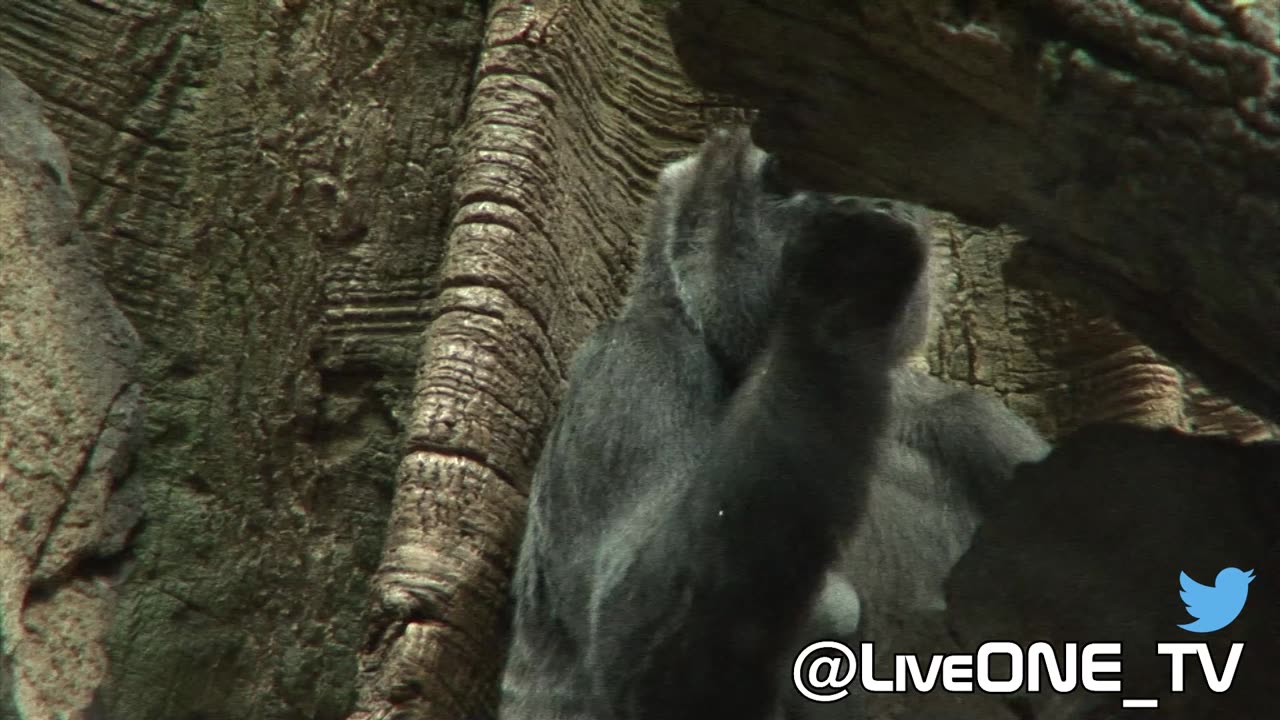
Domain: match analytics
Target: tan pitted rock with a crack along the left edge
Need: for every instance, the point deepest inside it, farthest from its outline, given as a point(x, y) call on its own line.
point(70, 420)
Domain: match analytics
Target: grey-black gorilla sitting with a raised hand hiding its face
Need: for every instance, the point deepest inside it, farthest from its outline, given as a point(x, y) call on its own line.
point(714, 450)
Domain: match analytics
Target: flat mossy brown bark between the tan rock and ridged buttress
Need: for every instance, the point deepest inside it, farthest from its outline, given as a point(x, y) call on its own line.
point(267, 186)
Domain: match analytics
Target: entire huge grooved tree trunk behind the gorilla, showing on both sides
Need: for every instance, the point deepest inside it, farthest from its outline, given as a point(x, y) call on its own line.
point(282, 198)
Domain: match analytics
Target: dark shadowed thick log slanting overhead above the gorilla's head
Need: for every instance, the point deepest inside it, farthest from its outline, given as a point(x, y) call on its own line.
point(1135, 142)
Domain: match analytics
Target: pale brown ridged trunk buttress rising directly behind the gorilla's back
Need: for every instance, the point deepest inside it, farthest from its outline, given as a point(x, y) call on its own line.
point(575, 108)
